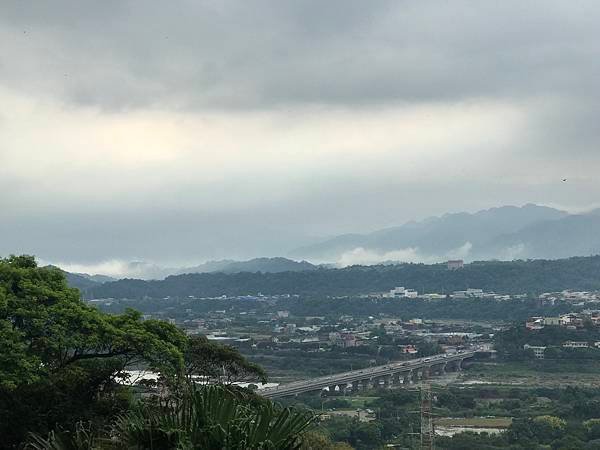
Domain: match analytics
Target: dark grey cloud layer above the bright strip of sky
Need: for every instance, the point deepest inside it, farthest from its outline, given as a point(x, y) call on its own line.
point(262, 54)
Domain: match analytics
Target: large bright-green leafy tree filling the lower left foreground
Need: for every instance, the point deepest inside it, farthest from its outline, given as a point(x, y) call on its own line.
point(60, 359)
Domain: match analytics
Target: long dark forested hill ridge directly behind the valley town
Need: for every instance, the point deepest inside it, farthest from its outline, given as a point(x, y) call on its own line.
point(580, 273)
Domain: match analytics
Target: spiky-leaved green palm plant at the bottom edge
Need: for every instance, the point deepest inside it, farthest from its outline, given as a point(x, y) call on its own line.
point(213, 417)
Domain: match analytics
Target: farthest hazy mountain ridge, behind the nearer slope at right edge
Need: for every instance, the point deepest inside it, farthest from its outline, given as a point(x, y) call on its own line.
point(437, 236)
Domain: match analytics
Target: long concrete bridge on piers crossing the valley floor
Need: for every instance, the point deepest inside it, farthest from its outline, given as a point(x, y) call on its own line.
point(397, 373)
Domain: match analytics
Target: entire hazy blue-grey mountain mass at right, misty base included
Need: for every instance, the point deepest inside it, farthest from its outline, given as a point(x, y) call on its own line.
point(506, 233)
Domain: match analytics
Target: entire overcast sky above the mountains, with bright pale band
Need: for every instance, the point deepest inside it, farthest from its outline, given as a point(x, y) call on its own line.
point(182, 131)
